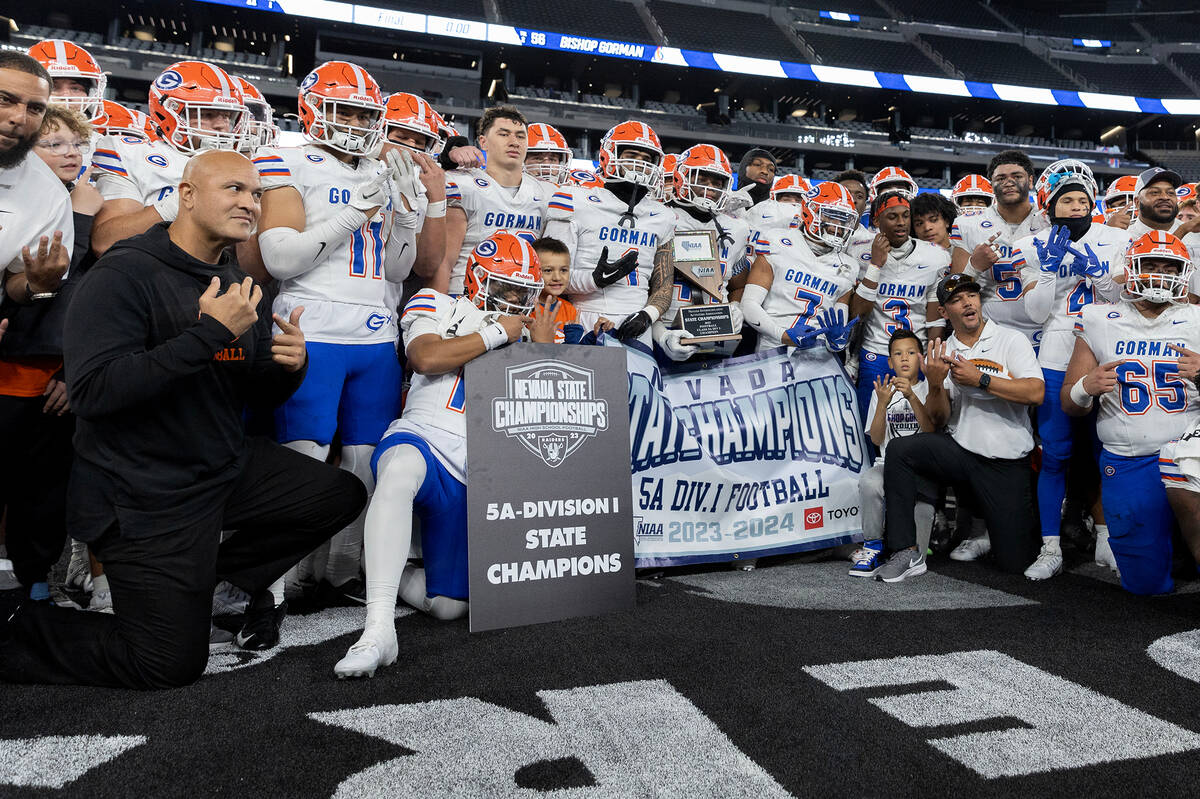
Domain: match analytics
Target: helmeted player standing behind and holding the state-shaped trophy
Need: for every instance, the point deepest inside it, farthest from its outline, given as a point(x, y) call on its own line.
point(701, 185)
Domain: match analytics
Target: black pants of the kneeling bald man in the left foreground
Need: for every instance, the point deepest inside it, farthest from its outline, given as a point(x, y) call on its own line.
point(281, 508)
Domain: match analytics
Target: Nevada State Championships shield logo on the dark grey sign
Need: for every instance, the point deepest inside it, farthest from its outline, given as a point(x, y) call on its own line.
point(551, 408)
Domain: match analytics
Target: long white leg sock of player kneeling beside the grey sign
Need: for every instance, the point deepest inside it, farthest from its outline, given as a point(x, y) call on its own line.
point(389, 531)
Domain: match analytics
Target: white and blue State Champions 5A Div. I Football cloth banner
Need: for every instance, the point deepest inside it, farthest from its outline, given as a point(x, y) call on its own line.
point(746, 458)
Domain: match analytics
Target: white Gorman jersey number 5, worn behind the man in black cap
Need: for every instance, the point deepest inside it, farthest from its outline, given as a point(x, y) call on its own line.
point(1003, 285)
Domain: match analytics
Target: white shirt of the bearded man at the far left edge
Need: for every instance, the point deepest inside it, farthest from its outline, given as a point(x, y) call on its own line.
point(34, 203)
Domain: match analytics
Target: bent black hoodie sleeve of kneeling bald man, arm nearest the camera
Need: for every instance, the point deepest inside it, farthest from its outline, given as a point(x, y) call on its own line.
point(109, 368)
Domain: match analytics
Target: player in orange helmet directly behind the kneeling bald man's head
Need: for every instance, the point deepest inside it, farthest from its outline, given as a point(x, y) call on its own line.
point(196, 106)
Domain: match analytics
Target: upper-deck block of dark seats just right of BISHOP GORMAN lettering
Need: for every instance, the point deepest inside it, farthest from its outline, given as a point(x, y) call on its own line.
point(718, 31)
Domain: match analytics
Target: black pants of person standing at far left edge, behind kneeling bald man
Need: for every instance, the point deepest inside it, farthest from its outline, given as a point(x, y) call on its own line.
point(34, 472)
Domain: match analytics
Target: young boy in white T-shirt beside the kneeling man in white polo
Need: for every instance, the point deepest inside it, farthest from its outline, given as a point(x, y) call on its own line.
point(897, 410)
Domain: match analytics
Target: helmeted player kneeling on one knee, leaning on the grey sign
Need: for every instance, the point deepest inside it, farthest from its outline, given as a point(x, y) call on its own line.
point(422, 461)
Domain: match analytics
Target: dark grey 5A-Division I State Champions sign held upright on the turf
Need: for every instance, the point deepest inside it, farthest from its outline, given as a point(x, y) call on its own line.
point(549, 506)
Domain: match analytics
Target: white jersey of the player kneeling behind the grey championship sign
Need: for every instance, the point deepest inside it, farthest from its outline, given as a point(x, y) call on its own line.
point(436, 405)
